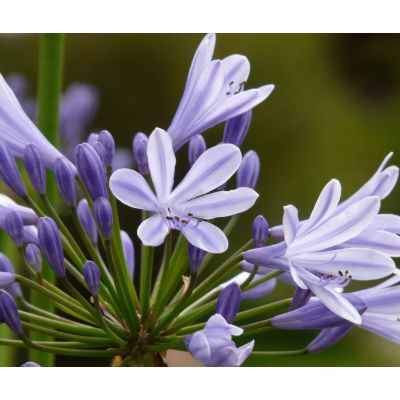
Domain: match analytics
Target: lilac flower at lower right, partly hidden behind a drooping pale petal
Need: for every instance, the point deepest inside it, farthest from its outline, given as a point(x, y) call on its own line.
point(379, 306)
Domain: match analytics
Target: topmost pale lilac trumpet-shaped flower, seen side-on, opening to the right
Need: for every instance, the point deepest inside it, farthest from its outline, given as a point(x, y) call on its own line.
point(214, 93)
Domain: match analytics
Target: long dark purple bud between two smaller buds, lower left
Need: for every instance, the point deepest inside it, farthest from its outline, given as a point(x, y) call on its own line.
point(50, 242)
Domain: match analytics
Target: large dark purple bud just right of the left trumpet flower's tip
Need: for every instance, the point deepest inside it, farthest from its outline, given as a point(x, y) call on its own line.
point(91, 170)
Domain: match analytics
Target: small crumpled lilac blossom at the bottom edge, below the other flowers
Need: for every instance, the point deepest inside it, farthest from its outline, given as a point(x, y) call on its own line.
point(213, 346)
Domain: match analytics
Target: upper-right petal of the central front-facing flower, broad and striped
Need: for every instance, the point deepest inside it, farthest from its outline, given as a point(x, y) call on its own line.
point(213, 168)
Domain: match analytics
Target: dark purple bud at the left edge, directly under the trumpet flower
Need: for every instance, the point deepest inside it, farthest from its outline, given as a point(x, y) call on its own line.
point(9, 171)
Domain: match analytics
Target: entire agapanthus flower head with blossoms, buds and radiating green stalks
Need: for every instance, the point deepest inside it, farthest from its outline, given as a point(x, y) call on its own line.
point(106, 304)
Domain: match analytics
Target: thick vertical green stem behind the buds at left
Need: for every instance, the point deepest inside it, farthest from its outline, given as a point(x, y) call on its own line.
point(49, 94)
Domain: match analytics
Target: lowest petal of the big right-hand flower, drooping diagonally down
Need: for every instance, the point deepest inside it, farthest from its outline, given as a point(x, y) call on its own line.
point(336, 302)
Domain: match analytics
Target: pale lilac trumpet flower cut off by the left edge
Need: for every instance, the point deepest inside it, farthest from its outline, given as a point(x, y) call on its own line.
point(17, 130)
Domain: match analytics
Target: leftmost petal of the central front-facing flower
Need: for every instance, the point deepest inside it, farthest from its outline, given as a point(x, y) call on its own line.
point(130, 188)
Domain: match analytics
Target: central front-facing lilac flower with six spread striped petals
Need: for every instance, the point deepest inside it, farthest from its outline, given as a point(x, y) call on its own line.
point(187, 206)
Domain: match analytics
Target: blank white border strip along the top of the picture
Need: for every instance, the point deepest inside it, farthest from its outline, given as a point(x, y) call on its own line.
point(200, 16)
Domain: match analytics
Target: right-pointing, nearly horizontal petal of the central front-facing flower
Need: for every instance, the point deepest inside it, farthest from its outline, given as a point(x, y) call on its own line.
point(221, 204)
